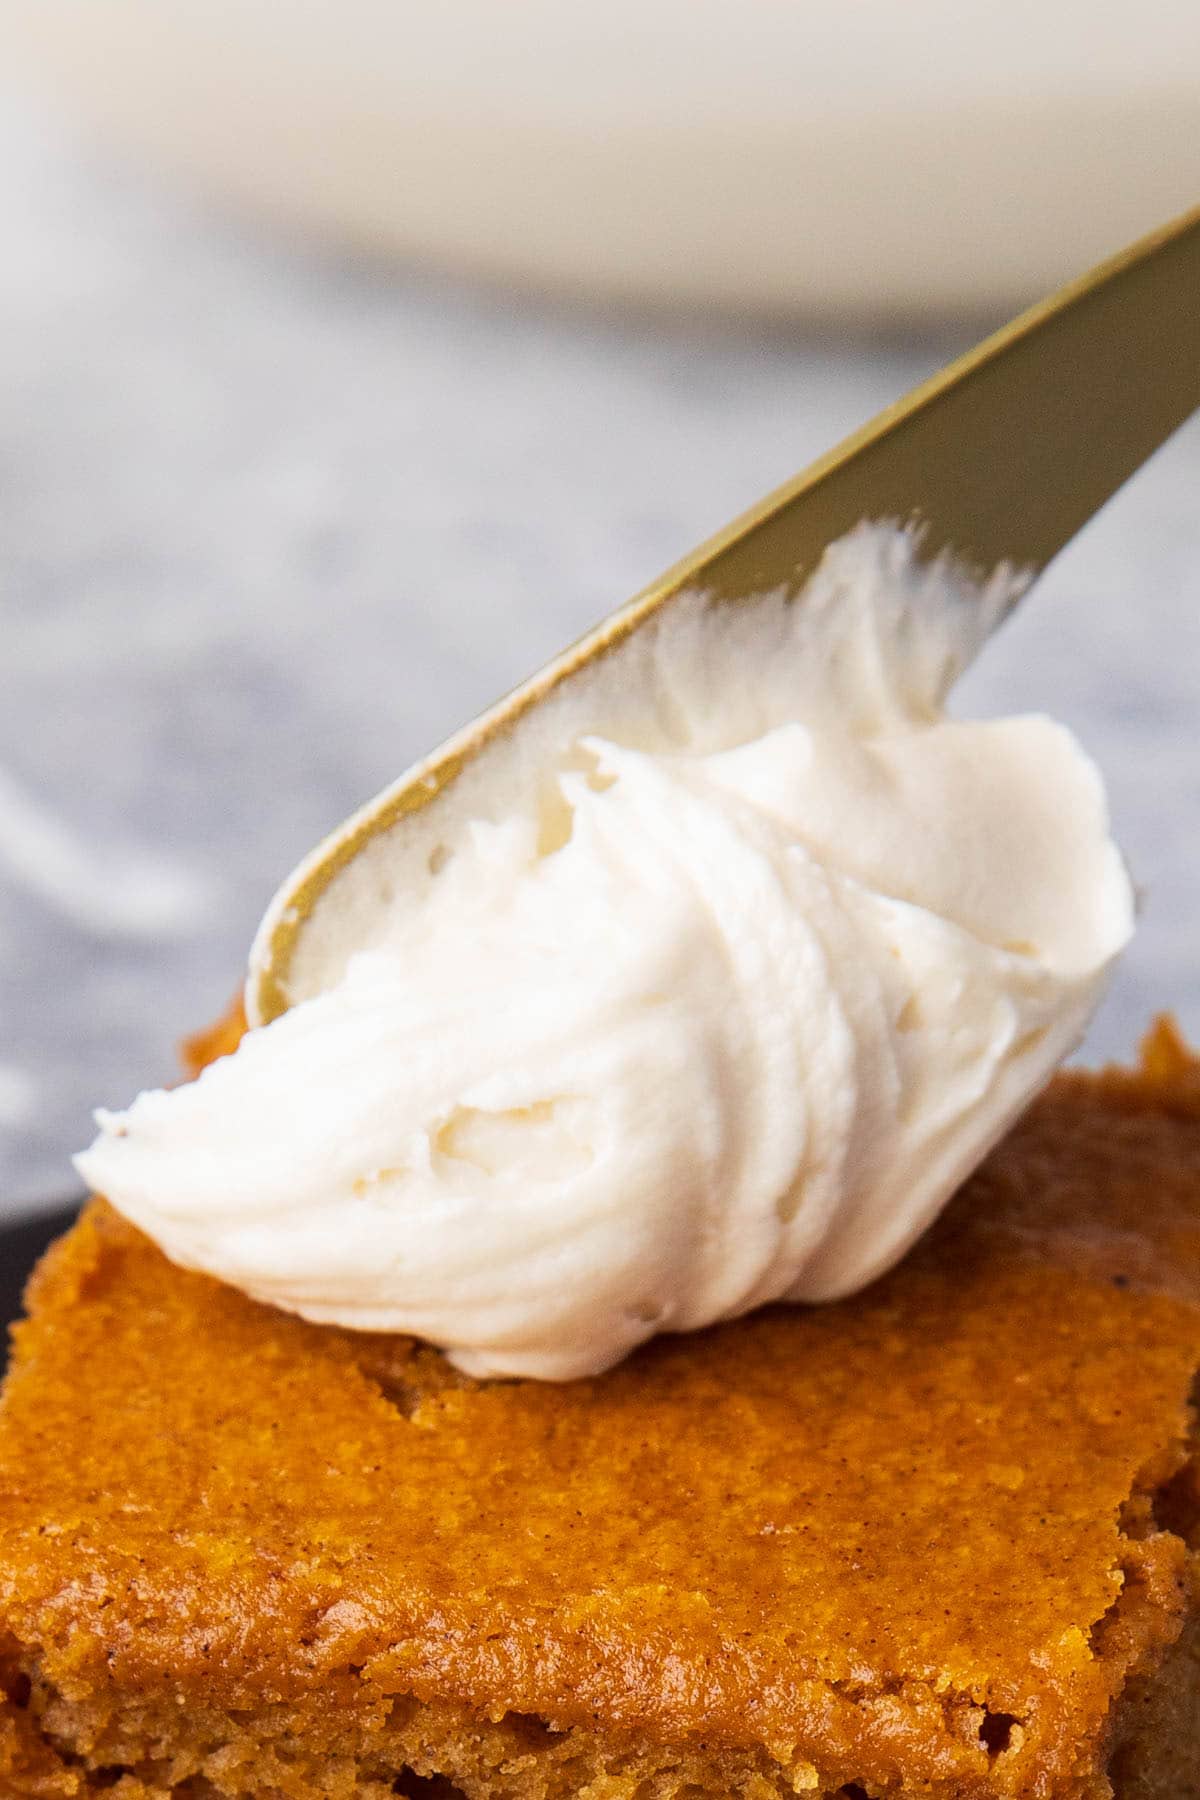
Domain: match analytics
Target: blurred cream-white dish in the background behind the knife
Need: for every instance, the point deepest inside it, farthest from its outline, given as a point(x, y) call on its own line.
point(864, 157)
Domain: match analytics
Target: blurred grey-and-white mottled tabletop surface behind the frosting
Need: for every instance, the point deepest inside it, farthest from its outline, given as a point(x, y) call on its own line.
point(271, 526)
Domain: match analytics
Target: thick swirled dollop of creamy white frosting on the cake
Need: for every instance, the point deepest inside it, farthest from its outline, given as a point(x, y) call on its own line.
point(717, 1009)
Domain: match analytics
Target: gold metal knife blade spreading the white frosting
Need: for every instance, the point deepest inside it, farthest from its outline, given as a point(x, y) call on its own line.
point(1001, 458)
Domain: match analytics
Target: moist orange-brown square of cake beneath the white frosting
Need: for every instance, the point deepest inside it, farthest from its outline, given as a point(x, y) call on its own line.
point(927, 1542)
